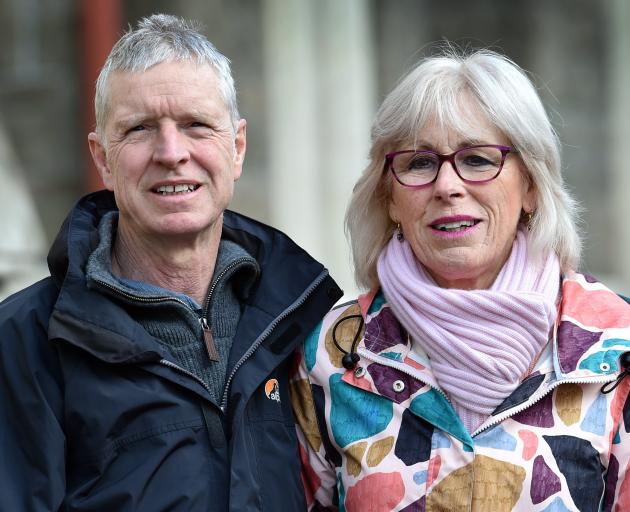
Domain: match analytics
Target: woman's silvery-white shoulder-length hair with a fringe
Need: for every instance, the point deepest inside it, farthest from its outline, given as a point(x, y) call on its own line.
point(437, 89)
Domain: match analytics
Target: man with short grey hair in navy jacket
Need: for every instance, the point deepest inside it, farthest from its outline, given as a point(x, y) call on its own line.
point(150, 371)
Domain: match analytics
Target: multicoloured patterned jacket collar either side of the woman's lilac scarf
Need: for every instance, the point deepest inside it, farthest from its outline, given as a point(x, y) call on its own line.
point(591, 332)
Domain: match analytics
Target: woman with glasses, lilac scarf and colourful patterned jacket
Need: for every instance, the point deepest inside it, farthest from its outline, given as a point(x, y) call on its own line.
point(481, 372)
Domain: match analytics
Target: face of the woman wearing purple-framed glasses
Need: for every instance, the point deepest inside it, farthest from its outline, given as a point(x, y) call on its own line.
point(469, 256)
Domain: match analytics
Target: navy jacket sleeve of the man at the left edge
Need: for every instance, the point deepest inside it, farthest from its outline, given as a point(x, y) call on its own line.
point(32, 440)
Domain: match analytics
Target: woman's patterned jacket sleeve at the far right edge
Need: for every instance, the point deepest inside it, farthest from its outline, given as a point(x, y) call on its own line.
point(617, 493)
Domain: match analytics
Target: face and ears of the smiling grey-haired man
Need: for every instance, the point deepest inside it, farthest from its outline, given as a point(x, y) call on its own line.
point(169, 153)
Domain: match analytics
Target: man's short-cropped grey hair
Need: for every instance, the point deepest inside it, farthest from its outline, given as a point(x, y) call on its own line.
point(157, 39)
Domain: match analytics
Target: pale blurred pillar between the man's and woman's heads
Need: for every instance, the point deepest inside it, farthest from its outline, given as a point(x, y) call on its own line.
point(320, 82)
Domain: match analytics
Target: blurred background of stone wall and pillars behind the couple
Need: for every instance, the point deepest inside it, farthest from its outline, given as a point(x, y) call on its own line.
point(310, 75)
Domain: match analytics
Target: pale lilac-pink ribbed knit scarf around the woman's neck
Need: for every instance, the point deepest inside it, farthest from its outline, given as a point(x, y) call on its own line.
point(481, 343)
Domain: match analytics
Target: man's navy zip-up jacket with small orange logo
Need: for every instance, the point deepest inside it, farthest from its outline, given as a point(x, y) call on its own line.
point(96, 416)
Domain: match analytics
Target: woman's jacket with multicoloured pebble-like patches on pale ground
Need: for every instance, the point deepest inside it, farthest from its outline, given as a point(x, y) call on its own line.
point(384, 437)
